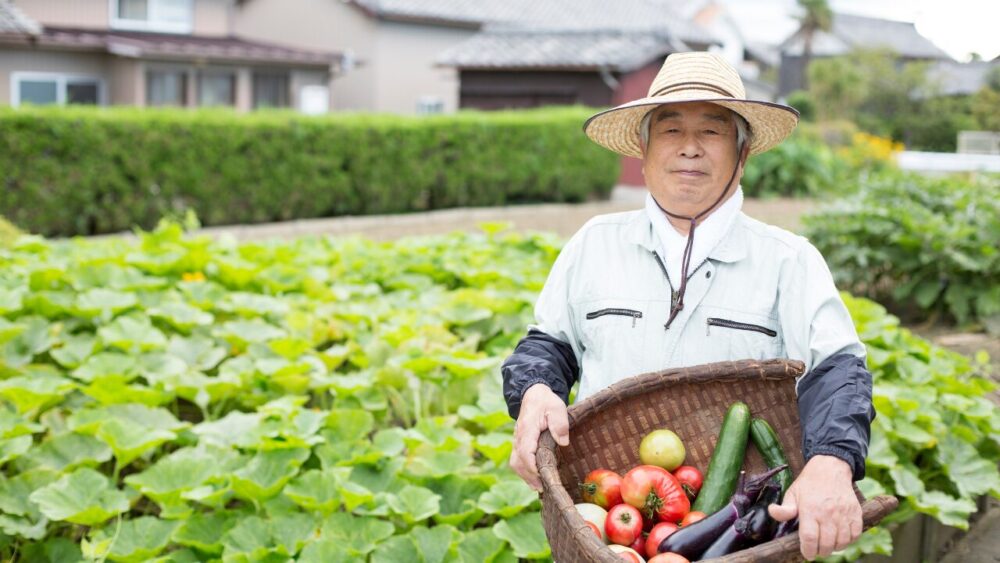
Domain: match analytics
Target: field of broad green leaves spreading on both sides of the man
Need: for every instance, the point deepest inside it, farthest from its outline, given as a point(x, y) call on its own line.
point(336, 399)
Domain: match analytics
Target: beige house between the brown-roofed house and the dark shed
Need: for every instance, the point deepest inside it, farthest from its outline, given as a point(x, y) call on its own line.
point(390, 45)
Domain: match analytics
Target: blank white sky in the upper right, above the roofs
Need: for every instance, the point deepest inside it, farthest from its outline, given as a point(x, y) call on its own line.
point(959, 27)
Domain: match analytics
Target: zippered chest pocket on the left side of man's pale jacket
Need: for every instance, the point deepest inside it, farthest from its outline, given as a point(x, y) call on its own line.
point(614, 333)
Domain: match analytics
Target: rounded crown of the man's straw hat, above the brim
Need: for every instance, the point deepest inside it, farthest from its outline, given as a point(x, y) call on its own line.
point(686, 75)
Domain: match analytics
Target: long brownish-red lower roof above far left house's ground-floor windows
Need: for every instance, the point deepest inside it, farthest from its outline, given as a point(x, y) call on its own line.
point(140, 44)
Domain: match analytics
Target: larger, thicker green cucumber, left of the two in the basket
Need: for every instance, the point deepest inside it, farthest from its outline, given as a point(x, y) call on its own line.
point(727, 460)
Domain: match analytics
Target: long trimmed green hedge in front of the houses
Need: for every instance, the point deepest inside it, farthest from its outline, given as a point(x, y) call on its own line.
point(78, 171)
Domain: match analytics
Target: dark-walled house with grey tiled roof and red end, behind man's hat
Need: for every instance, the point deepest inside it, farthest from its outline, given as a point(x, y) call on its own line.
point(589, 52)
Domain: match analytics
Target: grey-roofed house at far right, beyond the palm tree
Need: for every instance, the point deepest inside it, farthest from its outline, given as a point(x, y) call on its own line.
point(850, 32)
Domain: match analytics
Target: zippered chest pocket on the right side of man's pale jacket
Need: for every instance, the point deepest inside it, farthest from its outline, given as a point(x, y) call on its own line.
point(735, 335)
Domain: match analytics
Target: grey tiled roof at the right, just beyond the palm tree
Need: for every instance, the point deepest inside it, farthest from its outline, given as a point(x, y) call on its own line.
point(850, 31)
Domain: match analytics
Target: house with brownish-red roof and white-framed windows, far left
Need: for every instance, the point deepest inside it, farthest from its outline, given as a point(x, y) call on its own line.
point(152, 53)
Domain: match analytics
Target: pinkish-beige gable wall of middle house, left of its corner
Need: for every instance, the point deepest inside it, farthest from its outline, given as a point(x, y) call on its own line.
point(324, 25)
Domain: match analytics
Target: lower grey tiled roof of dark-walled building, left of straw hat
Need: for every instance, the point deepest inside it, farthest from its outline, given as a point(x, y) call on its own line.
point(524, 49)
